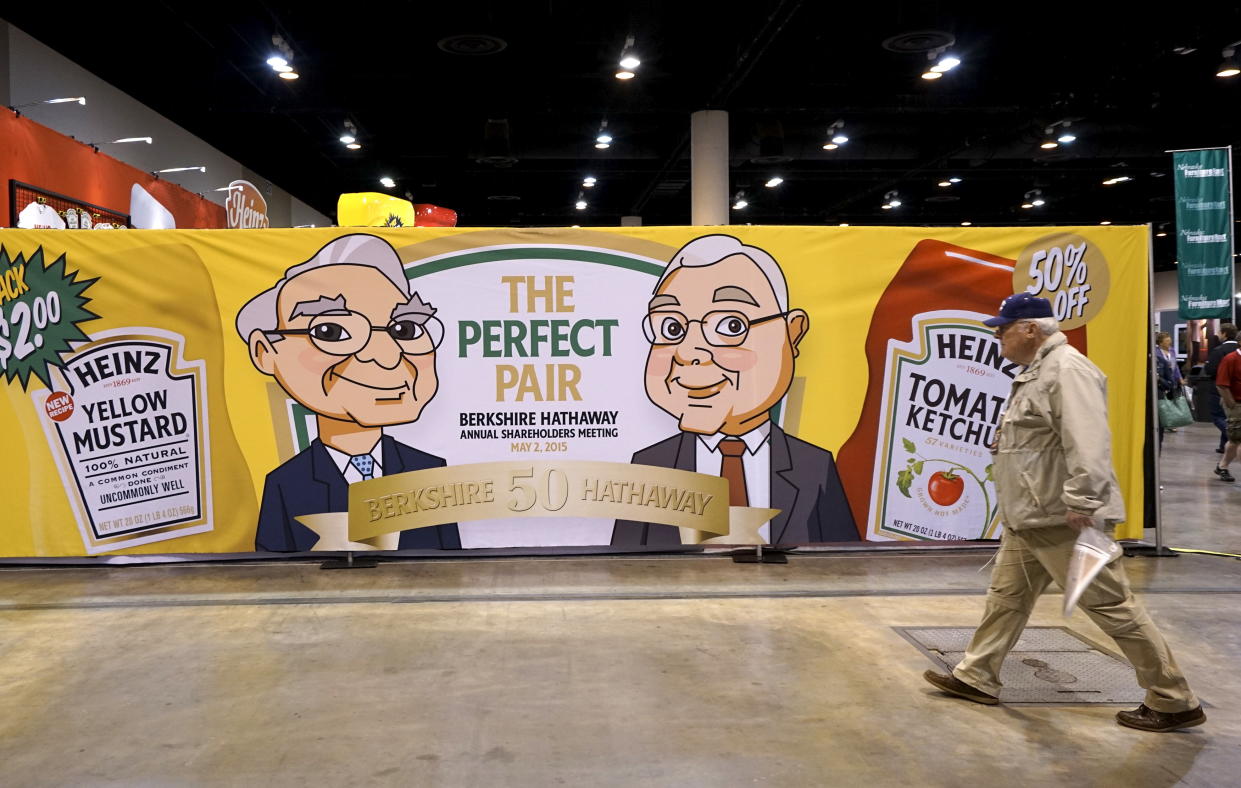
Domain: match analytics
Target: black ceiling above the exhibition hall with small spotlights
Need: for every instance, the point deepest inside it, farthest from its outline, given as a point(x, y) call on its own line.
point(506, 138)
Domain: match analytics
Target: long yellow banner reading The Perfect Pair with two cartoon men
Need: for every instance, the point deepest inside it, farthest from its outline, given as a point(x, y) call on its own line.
point(286, 390)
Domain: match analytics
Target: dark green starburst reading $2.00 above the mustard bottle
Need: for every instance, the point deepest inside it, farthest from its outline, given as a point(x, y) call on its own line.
point(40, 313)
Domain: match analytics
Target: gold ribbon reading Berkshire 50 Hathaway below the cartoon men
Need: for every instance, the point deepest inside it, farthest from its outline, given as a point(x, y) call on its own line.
point(697, 503)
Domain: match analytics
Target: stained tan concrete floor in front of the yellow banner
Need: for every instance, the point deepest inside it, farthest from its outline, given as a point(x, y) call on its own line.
point(585, 672)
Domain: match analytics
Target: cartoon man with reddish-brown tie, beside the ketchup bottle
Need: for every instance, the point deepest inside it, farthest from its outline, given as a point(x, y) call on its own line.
point(723, 348)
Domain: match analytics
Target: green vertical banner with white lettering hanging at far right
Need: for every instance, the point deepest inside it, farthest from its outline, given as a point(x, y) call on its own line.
point(1204, 233)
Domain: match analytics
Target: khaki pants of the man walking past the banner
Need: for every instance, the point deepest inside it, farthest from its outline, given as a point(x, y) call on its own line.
point(1027, 563)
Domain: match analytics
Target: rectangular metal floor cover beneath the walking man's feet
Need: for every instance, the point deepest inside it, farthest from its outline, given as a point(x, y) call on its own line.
point(1048, 666)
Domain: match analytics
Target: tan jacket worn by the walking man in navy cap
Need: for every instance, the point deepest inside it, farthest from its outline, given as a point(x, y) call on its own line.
point(1055, 447)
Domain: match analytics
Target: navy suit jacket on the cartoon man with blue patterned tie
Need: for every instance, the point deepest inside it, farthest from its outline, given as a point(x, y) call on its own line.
point(311, 483)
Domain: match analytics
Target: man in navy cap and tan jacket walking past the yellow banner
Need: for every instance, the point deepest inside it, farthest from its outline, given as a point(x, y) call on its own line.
point(1054, 476)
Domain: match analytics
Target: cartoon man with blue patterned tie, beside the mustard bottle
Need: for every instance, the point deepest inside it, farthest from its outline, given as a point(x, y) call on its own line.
point(343, 336)
